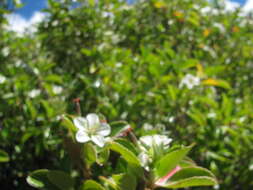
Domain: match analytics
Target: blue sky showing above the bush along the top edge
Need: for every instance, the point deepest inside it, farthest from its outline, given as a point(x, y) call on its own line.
point(32, 6)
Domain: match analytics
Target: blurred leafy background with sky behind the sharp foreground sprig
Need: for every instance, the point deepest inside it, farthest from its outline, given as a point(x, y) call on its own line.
point(178, 67)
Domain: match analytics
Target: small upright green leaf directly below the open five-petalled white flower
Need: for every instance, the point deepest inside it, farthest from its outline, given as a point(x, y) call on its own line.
point(89, 153)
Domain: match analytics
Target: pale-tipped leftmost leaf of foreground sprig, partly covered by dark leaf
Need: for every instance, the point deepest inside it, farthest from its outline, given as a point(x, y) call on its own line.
point(39, 179)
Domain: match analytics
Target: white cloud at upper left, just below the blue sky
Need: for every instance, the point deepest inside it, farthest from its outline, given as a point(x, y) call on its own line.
point(20, 25)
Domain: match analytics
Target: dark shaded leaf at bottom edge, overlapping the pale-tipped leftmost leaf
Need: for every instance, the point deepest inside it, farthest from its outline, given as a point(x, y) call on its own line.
point(61, 179)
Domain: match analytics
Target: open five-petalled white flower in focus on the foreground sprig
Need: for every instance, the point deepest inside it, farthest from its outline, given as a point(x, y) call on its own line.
point(91, 129)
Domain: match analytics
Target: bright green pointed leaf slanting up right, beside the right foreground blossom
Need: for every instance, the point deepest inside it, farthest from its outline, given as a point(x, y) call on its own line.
point(170, 161)
